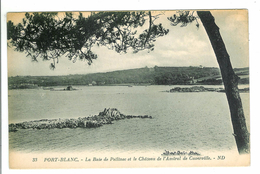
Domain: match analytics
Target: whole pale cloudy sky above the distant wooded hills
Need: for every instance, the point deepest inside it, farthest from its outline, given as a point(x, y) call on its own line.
point(183, 46)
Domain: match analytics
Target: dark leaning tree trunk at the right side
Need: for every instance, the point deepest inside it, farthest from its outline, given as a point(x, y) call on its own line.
point(230, 80)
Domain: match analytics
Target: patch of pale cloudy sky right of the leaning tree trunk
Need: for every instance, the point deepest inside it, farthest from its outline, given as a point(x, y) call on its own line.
point(233, 26)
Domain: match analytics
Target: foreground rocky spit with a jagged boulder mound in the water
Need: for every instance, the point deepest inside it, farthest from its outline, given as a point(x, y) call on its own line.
point(105, 117)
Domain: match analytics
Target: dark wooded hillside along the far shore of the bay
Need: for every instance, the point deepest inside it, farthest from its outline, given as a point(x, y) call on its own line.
point(131, 77)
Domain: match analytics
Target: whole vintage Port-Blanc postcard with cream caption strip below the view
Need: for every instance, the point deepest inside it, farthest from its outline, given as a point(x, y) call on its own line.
point(128, 89)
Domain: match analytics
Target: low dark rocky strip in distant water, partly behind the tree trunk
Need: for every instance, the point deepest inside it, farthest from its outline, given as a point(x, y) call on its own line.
point(202, 89)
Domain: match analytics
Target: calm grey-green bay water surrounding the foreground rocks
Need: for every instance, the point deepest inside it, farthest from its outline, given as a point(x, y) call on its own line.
point(181, 121)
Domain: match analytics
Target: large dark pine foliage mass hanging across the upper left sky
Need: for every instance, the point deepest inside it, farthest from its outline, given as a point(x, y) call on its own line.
point(49, 36)
